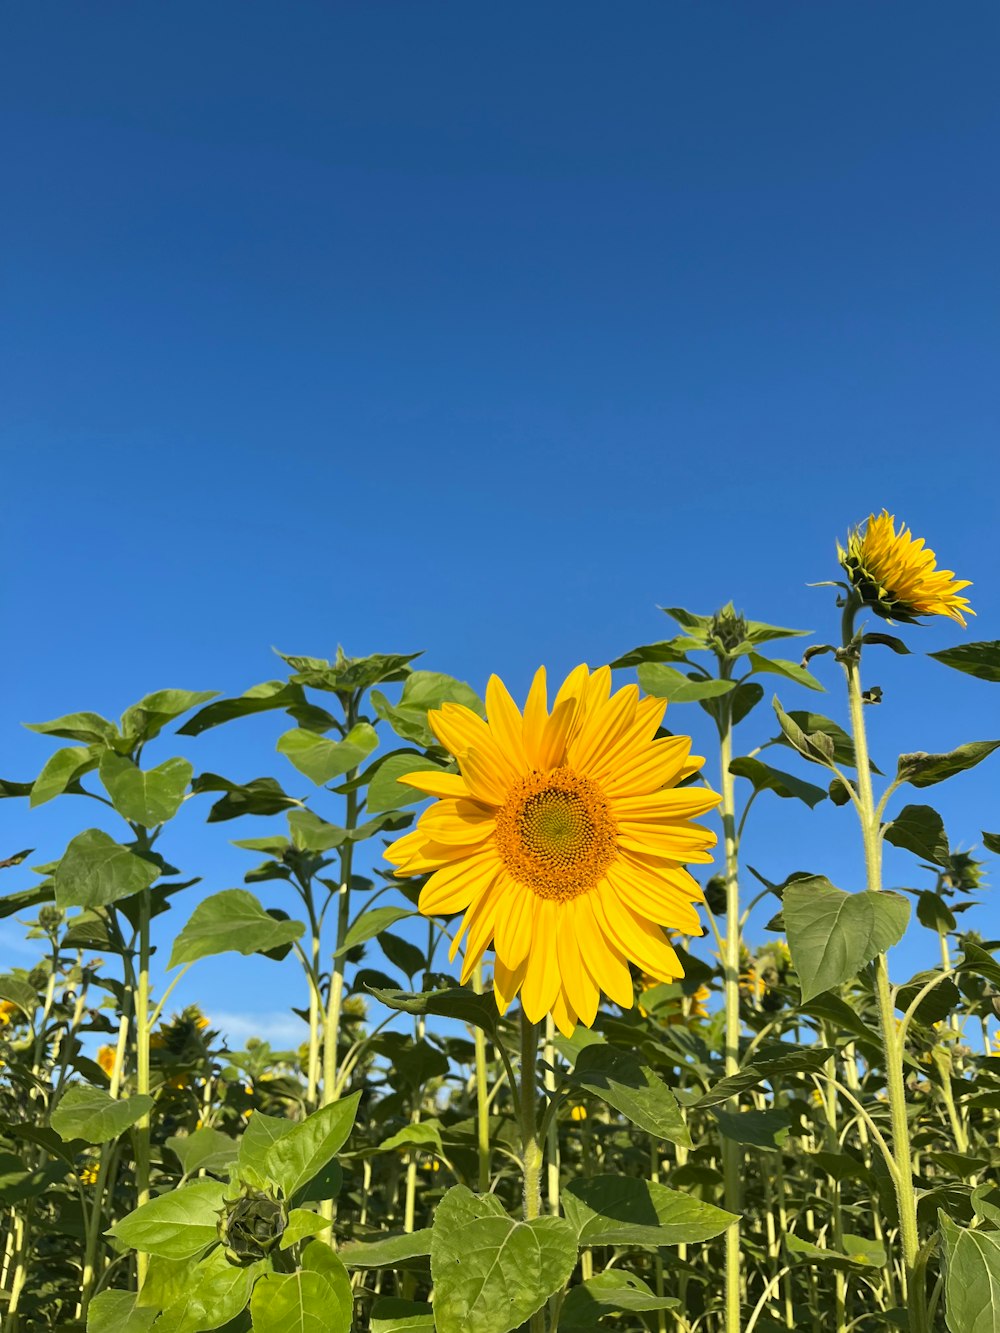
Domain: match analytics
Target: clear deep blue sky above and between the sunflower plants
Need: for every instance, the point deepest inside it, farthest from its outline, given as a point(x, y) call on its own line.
point(485, 333)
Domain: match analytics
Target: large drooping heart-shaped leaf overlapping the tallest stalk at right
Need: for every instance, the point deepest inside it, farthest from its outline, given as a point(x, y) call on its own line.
point(833, 935)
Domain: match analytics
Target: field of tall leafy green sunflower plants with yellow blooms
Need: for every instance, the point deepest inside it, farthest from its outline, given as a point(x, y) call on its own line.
point(547, 1078)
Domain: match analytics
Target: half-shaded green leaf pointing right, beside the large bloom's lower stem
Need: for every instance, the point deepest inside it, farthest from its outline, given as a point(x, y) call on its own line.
point(625, 1211)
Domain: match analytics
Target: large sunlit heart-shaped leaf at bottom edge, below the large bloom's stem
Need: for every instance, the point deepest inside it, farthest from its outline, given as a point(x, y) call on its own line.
point(490, 1272)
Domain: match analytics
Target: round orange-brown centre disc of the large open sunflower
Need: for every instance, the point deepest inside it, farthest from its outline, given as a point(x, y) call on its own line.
point(557, 835)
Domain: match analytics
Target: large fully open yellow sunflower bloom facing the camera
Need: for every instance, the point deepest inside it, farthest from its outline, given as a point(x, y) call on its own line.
point(562, 839)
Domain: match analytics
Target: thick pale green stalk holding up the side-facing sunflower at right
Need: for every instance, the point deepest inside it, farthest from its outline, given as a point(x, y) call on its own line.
point(893, 1051)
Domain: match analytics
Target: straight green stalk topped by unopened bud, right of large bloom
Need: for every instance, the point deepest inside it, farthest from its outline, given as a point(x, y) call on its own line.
point(733, 1154)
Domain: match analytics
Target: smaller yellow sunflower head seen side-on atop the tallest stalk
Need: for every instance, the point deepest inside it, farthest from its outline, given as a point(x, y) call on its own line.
point(898, 577)
